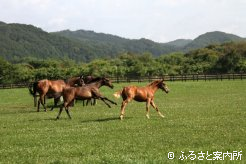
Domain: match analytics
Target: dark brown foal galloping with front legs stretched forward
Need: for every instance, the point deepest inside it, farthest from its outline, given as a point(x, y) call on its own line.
point(85, 92)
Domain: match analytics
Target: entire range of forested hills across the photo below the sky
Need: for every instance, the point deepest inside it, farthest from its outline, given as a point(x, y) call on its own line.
point(20, 42)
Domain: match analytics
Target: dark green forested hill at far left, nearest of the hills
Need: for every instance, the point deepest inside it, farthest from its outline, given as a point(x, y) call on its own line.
point(22, 41)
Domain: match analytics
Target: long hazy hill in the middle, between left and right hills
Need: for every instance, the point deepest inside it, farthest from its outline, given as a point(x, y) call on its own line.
point(111, 44)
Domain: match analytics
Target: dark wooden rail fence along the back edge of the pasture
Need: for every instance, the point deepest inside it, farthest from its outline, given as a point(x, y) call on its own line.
point(192, 77)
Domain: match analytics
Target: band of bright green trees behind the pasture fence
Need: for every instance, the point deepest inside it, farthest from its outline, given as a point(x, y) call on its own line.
point(213, 59)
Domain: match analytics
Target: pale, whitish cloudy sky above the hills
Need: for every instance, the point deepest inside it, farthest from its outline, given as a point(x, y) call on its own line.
point(157, 20)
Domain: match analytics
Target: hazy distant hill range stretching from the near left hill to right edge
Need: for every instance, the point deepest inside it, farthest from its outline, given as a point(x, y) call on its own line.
point(112, 44)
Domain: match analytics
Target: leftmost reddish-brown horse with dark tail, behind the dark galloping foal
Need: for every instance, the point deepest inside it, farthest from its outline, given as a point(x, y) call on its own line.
point(53, 89)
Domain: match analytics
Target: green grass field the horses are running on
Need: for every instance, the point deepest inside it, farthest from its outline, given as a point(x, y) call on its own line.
point(204, 117)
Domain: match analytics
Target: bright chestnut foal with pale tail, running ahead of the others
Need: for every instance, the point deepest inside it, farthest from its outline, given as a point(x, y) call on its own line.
point(141, 94)
